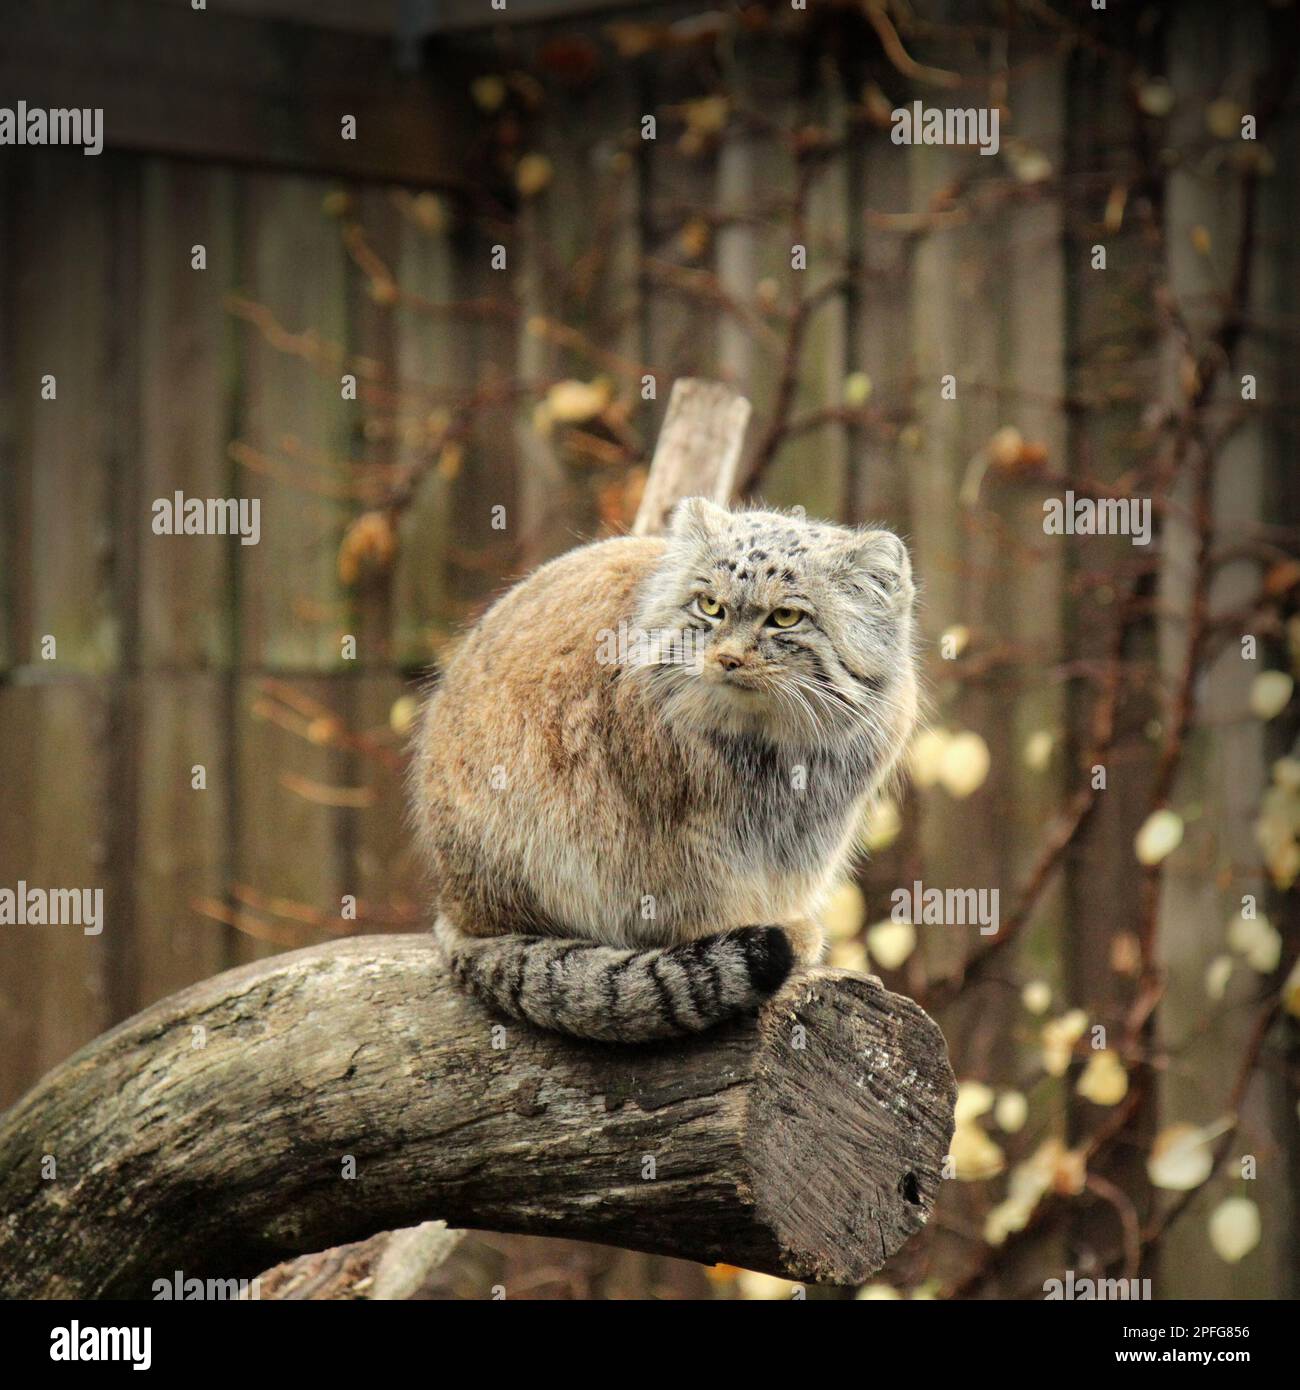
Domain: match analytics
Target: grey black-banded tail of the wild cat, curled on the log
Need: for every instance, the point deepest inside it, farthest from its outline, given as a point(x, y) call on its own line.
point(614, 995)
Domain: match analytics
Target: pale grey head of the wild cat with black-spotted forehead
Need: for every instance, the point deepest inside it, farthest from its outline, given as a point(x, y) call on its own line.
point(797, 629)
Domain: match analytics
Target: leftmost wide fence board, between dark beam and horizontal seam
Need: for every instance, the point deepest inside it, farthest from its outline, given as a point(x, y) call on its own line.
point(63, 554)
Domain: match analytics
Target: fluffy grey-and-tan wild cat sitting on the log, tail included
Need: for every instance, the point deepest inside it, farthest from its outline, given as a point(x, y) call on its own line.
point(643, 771)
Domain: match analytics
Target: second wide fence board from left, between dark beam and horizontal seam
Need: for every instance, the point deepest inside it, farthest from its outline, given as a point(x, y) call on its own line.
point(186, 593)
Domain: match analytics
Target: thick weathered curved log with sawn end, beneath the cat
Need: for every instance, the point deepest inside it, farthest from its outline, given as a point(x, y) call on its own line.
point(212, 1134)
